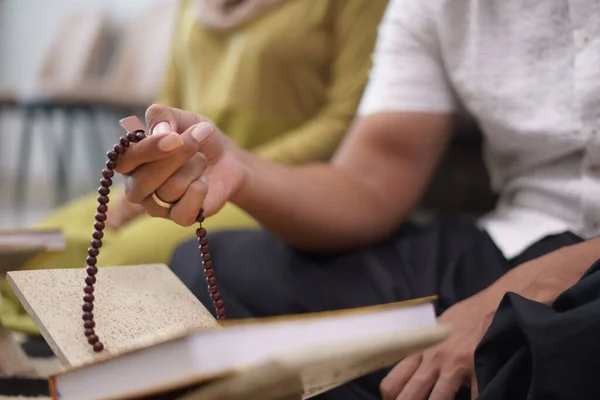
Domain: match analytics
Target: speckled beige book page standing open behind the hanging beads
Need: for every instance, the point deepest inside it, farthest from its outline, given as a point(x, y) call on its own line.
point(135, 306)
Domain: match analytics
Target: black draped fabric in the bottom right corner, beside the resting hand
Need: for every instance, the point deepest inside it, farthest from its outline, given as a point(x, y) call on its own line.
point(533, 351)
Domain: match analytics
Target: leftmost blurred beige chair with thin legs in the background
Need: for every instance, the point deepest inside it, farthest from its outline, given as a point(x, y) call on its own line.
point(76, 53)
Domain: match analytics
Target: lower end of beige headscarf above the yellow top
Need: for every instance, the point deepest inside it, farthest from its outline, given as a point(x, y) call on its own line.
point(226, 14)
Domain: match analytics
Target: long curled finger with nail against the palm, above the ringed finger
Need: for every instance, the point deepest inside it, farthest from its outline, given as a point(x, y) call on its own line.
point(149, 177)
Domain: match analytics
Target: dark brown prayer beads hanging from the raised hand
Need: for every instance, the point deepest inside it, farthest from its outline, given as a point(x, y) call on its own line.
point(96, 243)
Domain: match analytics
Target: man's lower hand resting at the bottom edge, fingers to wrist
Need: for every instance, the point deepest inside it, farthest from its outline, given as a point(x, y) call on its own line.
point(438, 372)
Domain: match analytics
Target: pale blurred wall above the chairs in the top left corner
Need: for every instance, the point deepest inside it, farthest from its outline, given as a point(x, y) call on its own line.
point(27, 26)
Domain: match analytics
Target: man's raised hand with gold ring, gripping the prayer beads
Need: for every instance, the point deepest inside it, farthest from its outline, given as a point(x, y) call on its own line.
point(186, 161)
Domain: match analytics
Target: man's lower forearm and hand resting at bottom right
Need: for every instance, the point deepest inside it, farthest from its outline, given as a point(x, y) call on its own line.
point(438, 372)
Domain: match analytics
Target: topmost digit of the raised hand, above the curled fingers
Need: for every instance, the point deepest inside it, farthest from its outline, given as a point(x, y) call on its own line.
point(161, 118)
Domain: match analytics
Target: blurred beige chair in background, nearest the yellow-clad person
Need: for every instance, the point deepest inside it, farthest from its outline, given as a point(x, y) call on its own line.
point(129, 85)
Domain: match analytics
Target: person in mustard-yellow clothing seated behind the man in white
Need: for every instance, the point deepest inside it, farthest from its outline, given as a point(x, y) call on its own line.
point(283, 78)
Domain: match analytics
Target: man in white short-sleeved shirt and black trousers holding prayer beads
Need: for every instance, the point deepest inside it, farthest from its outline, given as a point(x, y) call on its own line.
point(336, 234)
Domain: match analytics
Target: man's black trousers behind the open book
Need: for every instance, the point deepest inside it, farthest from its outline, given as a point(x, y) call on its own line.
point(259, 275)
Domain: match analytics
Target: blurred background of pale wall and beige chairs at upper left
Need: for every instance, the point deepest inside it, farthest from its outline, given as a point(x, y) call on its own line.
point(64, 82)
